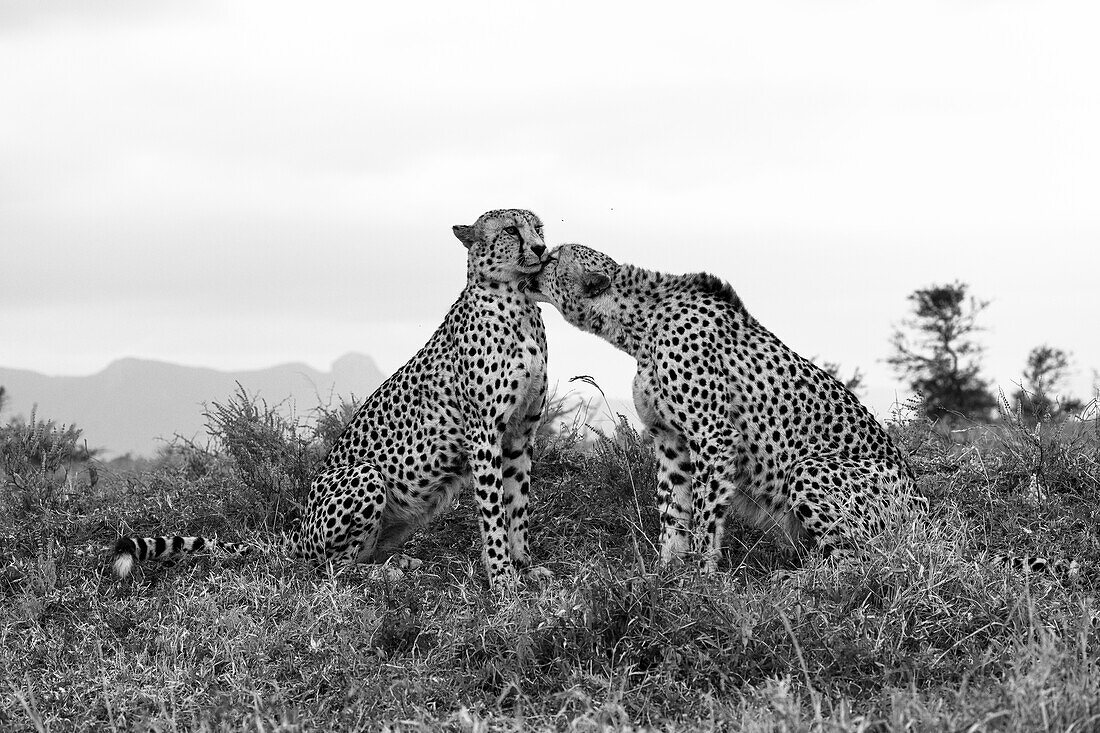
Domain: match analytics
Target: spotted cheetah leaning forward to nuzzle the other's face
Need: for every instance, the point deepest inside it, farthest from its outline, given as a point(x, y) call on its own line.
point(740, 421)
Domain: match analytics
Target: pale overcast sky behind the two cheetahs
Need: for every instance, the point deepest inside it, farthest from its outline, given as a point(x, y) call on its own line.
point(240, 184)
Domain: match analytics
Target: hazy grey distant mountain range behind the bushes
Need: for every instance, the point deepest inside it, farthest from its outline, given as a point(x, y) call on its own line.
point(136, 404)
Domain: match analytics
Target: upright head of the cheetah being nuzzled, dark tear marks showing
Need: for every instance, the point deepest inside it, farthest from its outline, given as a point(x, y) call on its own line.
point(505, 246)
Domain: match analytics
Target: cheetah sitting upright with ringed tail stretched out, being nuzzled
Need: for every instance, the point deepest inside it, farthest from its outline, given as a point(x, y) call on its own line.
point(464, 410)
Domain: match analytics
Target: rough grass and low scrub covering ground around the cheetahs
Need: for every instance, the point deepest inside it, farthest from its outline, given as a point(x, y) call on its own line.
point(920, 636)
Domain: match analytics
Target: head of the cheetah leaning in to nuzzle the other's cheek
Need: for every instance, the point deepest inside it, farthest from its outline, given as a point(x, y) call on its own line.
point(577, 280)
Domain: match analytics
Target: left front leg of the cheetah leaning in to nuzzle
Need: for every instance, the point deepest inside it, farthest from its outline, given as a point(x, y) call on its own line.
point(674, 494)
